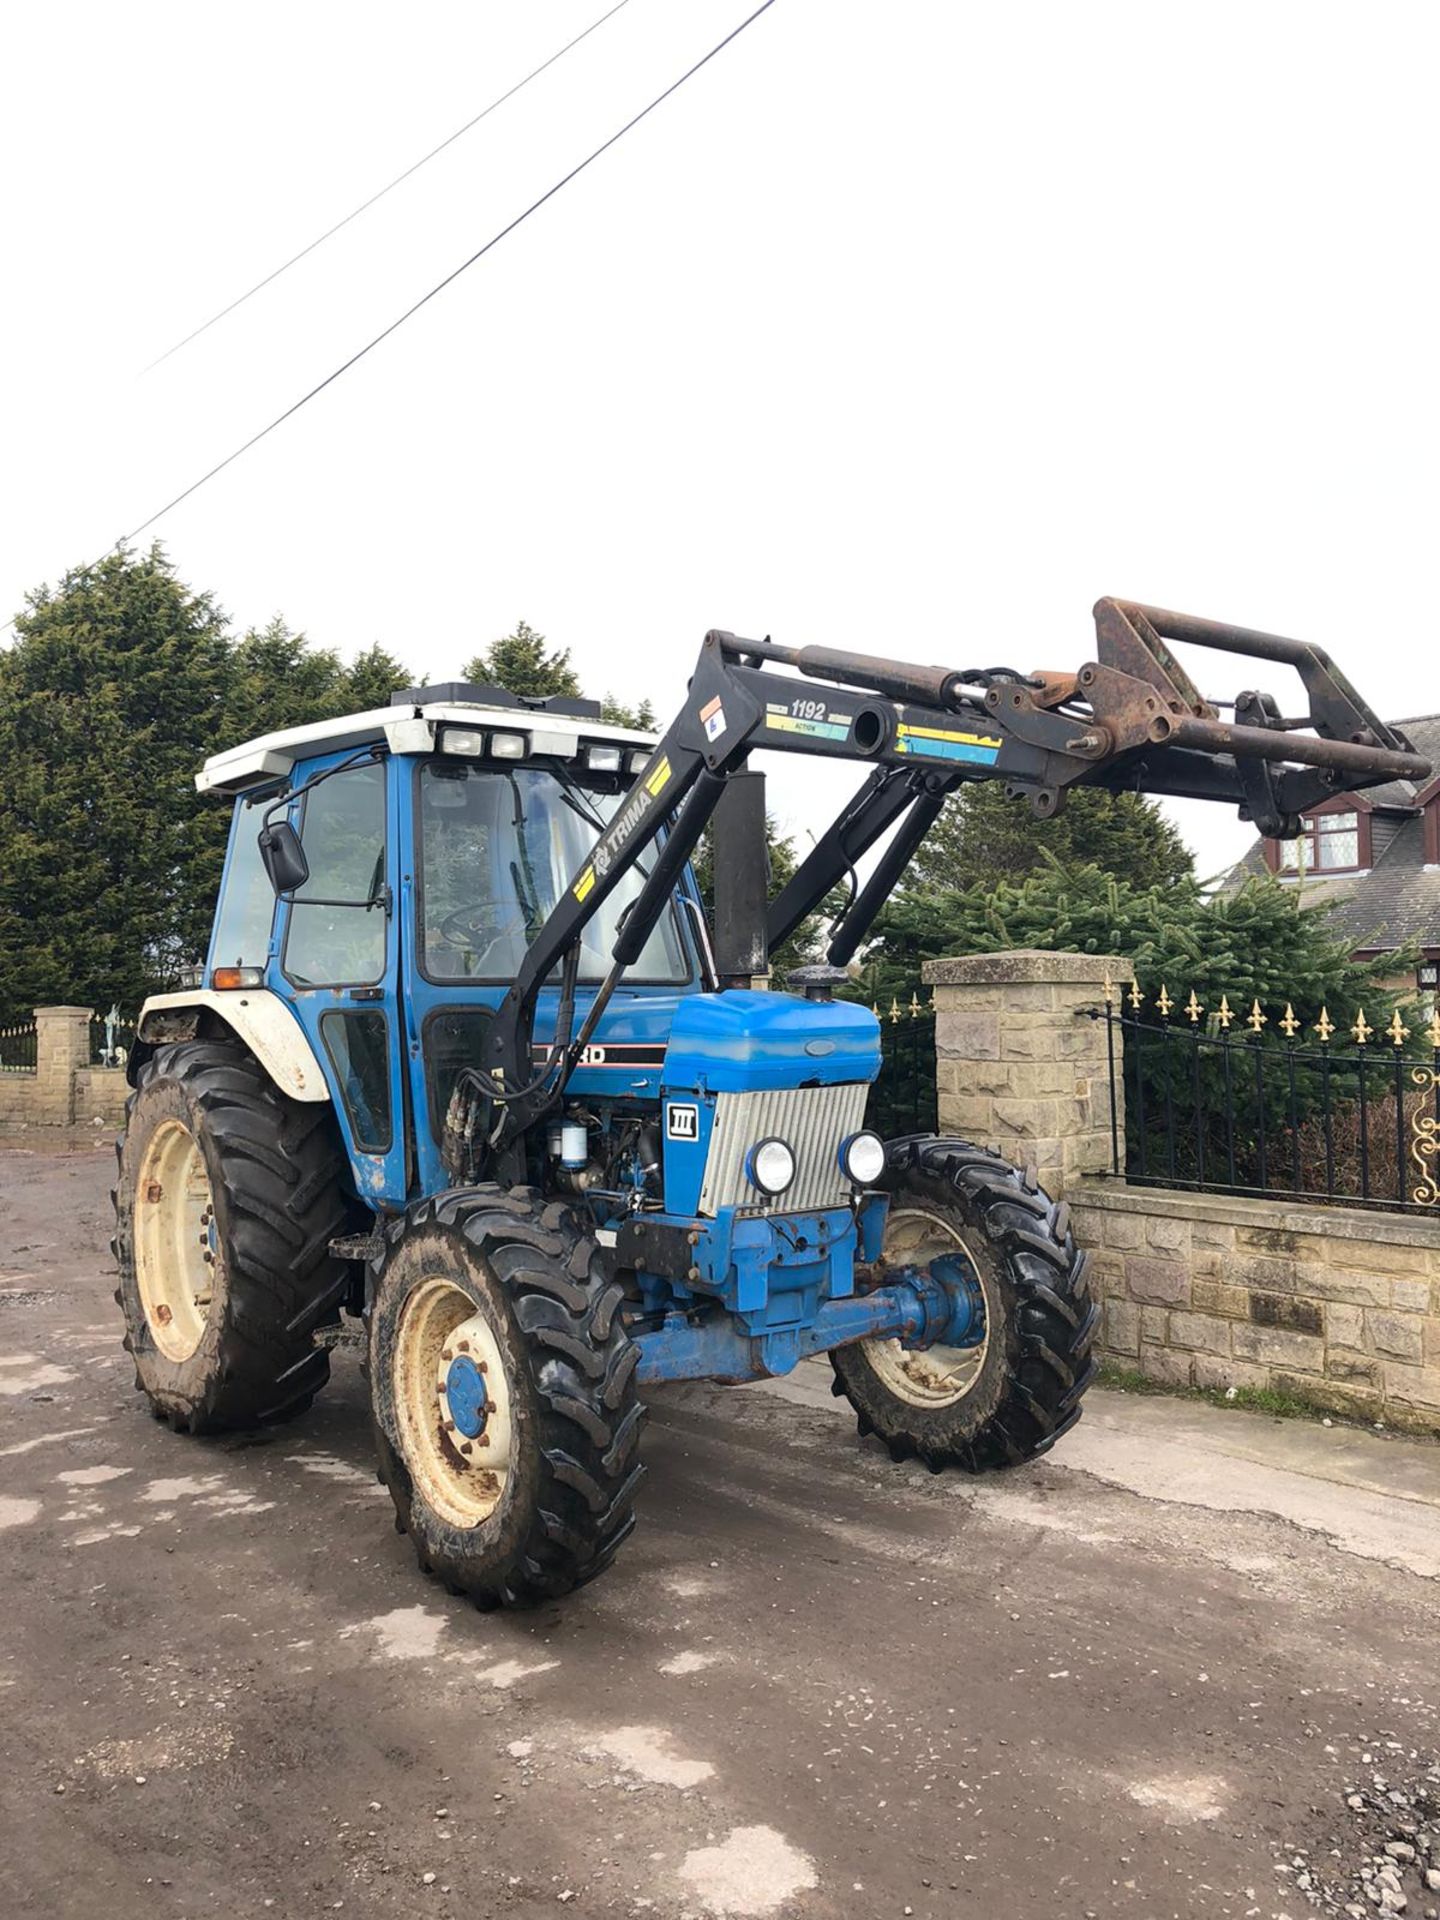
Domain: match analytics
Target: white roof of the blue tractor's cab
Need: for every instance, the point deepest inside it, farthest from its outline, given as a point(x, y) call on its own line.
point(410, 725)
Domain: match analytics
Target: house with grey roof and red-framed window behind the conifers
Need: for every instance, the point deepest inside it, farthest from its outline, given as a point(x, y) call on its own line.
point(1378, 857)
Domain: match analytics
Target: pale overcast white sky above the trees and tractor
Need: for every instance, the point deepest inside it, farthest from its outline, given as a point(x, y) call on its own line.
point(903, 327)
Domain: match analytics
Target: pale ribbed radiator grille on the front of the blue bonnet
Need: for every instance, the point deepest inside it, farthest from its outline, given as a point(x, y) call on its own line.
point(809, 1120)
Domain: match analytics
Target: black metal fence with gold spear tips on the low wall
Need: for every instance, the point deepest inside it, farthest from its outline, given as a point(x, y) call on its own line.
point(1222, 1101)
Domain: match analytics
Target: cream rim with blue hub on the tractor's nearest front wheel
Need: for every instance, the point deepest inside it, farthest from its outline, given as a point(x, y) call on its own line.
point(452, 1404)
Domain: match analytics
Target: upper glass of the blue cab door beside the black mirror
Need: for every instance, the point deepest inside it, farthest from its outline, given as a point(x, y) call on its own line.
point(337, 934)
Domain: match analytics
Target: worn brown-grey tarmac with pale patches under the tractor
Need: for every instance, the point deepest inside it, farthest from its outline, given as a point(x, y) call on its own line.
point(1138, 1679)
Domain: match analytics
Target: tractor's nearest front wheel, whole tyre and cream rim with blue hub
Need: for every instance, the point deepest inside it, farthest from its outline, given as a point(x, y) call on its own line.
point(504, 1395)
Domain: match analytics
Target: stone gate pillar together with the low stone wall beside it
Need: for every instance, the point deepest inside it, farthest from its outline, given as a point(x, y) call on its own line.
point(1337, 1305)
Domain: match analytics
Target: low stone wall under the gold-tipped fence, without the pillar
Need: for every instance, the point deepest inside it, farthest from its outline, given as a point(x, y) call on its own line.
point(1335, 1305)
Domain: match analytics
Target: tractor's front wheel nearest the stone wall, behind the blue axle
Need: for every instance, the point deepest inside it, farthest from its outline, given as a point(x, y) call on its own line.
point(1015, 1395)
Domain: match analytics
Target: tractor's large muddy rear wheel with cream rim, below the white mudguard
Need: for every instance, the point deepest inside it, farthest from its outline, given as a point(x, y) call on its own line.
point(226, 1207)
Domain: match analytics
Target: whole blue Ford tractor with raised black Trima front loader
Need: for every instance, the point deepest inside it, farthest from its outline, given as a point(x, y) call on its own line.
point(471, 1061)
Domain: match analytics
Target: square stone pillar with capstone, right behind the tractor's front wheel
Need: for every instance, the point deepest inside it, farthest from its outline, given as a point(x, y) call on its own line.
point(1022, 1067)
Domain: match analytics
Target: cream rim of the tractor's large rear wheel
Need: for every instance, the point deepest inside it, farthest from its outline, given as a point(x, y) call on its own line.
point(176, 1241)
